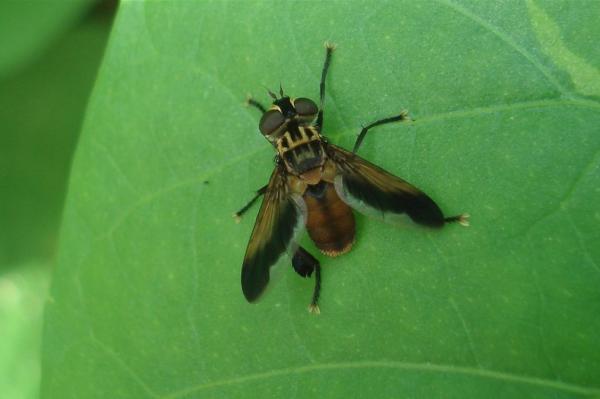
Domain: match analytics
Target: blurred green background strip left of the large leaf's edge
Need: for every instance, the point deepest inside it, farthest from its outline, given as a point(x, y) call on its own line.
point(50, 54)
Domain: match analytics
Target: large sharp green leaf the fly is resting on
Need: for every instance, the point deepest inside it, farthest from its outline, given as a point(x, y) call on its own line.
point(147, 299)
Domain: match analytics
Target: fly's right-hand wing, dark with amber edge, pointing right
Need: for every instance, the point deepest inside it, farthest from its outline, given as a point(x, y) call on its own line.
point(365, 186)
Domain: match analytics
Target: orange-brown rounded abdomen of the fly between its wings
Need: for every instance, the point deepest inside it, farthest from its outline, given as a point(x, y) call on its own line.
point(330, 221)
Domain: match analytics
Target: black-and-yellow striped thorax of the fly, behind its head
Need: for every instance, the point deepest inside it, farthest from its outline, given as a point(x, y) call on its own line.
point(301, 148)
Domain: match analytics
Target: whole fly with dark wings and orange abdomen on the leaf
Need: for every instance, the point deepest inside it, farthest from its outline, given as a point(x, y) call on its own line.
point(314, 186)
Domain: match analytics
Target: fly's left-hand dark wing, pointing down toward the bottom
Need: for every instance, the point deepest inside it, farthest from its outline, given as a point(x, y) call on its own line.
point(280, 219)
